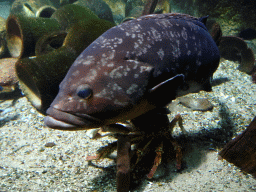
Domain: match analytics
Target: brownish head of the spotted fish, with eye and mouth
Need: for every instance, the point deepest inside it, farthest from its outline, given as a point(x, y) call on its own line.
point(96, 95)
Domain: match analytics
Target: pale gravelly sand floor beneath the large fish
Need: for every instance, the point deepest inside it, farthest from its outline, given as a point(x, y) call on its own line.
point(35, 158)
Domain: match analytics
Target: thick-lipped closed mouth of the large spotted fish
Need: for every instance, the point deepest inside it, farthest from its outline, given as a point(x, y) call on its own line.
point(57, 119)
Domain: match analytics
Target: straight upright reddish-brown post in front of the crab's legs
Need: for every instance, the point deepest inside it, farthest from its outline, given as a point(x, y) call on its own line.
point(123, 163)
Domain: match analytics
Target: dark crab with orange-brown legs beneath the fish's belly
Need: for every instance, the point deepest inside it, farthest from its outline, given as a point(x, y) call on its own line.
point(150, 135)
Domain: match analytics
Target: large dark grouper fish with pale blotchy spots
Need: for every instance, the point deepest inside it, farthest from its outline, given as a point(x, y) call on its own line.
point(133, 68)
